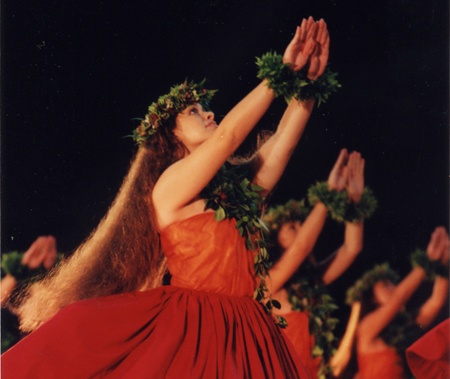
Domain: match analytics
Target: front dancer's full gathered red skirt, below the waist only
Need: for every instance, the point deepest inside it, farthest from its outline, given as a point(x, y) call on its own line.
point(167, 332)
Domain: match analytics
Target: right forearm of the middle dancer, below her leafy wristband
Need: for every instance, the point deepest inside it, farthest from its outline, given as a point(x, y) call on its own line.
point(347, 253)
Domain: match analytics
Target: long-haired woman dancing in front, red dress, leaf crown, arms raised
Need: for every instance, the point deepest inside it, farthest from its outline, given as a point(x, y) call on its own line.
point(206, 323)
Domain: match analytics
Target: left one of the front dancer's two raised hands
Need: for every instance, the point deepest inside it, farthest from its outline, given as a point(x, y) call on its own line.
point(302, 45)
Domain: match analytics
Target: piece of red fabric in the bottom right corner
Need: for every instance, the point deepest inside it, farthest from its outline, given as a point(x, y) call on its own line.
point(429, 356)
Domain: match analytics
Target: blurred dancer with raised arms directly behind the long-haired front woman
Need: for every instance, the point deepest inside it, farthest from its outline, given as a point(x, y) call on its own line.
point(299, 292)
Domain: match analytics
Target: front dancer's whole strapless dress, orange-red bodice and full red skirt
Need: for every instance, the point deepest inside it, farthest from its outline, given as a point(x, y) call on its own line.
point(204, 325)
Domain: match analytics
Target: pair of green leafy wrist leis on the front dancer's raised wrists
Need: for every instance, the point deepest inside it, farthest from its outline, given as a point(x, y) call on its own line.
point(289, 84)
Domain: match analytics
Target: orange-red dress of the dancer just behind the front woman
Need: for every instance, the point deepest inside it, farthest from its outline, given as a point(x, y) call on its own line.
point(298, 333)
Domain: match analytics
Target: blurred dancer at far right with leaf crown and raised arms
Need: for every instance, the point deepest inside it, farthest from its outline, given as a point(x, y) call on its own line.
point(385, 330)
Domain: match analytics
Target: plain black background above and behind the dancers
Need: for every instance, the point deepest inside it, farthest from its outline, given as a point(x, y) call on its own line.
point(74, 74)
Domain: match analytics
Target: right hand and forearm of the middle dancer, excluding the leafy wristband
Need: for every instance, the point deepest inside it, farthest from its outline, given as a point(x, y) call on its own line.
point(353, 237)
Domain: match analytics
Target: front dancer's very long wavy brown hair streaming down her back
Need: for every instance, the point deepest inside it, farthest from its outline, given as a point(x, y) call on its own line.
point(123, 253)
